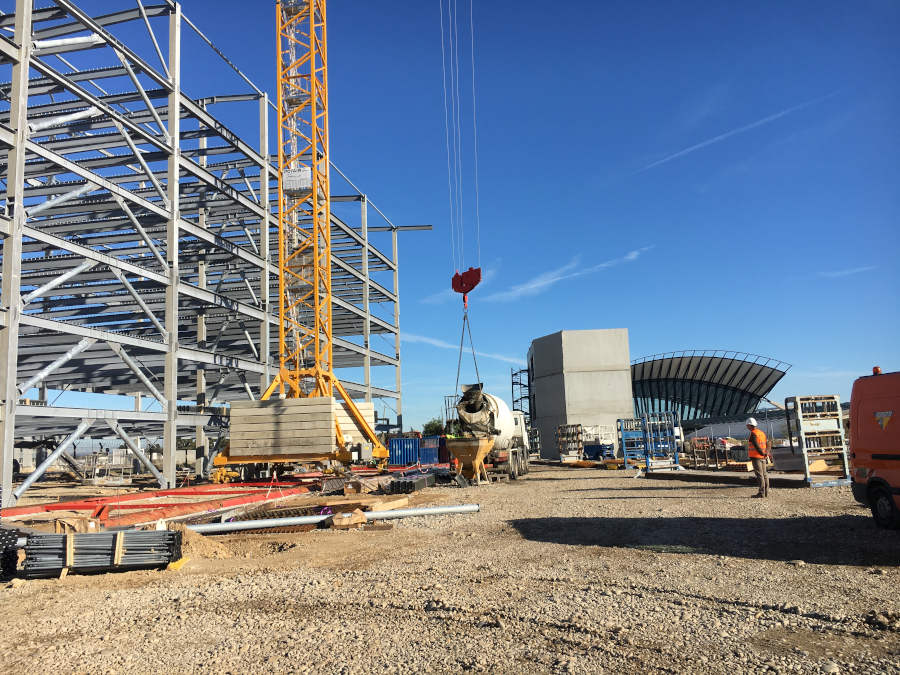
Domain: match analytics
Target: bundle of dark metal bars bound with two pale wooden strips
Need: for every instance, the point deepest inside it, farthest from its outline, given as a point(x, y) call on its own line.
point(47, 554)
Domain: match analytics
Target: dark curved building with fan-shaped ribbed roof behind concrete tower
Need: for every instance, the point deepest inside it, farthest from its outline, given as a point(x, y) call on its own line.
point(701, 384)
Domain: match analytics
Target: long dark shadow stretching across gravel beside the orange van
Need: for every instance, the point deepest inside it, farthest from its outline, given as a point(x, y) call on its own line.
point(824, 540)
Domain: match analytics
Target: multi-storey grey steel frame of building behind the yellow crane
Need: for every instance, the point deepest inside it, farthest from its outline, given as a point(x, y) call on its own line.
point(137, 239)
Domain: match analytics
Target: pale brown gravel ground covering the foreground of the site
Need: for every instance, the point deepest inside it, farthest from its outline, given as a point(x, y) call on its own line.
point(569, 570)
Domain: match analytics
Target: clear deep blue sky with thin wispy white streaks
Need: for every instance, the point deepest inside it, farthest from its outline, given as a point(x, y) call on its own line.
point(707, 176)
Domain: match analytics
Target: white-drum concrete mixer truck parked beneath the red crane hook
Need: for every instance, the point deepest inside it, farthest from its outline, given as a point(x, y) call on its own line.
point(486, 417)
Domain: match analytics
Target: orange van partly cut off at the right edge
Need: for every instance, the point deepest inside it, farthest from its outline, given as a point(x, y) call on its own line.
point(875, 445)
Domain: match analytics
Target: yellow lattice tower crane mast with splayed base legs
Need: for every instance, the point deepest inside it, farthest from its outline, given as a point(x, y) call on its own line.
point(305, 344)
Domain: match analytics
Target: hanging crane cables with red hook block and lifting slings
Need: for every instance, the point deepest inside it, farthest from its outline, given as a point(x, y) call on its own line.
point(461, 282)
